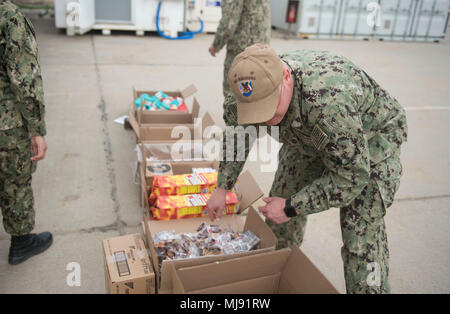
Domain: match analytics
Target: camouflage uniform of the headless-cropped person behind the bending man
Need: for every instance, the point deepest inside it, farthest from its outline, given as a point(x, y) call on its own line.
point(243, 23)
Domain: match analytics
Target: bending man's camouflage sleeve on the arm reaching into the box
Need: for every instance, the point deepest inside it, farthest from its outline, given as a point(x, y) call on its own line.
point(236, 146)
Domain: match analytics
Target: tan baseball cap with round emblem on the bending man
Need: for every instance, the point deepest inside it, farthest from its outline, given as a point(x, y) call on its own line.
point(254, 78)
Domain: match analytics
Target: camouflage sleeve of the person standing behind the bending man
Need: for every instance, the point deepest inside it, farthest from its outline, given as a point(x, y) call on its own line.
point(231, 14)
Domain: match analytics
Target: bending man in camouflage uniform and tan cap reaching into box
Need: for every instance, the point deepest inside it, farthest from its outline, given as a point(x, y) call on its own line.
point(341, 135)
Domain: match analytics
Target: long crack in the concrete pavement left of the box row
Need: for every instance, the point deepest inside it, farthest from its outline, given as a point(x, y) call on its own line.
point(107, 147)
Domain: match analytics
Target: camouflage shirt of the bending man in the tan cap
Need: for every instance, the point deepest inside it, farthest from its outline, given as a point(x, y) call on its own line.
point(337, 113)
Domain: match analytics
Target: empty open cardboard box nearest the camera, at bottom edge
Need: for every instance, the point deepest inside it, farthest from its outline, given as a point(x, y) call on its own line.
point(286, 271)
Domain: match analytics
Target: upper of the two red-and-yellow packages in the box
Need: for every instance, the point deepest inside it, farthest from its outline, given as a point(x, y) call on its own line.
point(183, 184)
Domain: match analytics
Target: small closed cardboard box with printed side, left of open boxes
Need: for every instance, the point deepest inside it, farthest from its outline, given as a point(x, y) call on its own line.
point(128, 269)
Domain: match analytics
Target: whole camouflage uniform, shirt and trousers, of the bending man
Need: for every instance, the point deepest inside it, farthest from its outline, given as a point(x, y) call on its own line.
point(341, 148)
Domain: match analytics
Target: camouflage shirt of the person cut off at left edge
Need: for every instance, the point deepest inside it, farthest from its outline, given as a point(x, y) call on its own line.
point(21, 92)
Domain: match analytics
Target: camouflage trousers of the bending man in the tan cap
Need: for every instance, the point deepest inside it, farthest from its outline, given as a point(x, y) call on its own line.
point(365, 252)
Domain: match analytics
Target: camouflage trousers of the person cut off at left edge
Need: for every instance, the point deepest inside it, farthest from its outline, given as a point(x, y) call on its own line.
point(16, 168)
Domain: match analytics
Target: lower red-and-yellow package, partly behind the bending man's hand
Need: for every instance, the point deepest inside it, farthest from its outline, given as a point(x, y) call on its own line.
point(167, 207)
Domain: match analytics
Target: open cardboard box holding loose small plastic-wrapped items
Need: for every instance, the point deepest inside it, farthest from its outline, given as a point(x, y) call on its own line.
point(248, 192)
